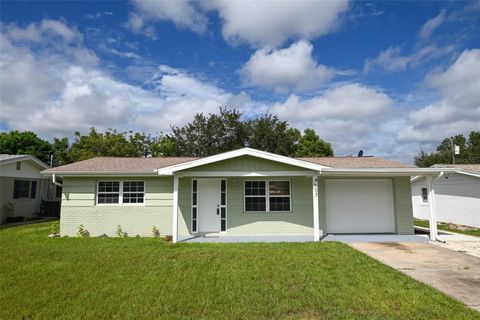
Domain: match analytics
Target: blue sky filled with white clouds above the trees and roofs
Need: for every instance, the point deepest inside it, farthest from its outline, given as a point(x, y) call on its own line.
point(391, 78)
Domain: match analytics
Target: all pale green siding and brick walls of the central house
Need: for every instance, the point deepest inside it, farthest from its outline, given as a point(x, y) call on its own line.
point(78, 204)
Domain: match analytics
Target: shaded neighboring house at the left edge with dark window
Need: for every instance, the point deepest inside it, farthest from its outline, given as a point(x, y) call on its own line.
point(22, 187)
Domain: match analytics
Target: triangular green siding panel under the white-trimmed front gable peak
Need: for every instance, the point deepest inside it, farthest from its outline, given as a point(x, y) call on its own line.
point(247, 163)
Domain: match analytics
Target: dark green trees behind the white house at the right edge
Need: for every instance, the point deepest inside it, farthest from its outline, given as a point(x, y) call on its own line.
point(469, 151)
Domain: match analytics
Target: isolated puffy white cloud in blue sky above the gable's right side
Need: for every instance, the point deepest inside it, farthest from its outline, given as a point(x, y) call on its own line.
point(283, 70)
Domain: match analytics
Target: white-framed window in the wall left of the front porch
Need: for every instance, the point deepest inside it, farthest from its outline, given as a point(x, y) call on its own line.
point(120, 192)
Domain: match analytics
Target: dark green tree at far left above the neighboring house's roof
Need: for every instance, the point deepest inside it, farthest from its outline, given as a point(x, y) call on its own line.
point(26, 142)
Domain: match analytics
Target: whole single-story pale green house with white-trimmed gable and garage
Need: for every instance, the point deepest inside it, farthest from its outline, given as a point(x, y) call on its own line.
point(245, 192)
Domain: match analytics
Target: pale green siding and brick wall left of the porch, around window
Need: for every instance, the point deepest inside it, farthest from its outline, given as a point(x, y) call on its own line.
point(78, 207)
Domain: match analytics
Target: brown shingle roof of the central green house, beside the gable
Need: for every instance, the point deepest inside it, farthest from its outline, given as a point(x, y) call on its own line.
point(143, 165)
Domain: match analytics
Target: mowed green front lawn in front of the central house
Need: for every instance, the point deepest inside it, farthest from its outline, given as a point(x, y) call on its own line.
point(141, 278)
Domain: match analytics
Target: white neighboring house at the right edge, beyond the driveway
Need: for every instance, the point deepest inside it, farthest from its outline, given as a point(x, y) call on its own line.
point(457, 195)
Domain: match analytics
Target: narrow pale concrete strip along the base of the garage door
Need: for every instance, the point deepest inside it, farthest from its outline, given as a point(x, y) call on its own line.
point(352, 238)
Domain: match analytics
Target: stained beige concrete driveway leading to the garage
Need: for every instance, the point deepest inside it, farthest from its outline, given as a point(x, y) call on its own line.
point(451, 272)
